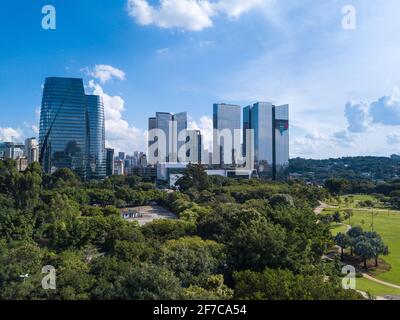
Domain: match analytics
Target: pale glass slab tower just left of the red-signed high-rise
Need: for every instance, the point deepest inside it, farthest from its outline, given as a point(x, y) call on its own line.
point(227, 126)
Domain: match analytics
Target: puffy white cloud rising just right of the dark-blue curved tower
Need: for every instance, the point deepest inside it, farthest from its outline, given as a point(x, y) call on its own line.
point(119, 134)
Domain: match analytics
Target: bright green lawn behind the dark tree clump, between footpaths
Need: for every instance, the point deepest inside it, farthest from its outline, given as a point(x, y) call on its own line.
point(387, 224)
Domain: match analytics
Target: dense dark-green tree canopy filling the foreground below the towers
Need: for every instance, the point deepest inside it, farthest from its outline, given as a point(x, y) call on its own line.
point(232, 239)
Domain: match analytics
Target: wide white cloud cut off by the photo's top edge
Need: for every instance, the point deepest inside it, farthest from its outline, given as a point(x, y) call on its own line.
point(191, 15)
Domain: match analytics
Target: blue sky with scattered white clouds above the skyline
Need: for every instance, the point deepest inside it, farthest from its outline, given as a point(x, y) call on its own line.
point(145, 56)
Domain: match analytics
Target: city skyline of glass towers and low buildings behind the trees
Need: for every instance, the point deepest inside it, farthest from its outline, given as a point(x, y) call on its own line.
point(72, 135)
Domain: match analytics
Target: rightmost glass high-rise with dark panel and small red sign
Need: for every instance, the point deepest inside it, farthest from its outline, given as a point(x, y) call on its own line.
point(271, 137)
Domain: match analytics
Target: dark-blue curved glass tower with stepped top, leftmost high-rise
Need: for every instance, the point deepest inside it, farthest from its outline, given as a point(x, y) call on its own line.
point(72, 133)
